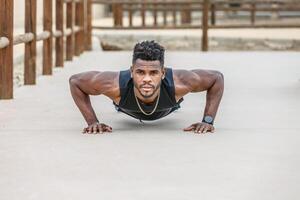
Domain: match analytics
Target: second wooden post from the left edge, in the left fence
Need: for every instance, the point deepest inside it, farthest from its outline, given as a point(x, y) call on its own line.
point(30, 47)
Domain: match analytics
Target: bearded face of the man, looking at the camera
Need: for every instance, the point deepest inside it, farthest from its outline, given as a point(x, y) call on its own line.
point(147, 77)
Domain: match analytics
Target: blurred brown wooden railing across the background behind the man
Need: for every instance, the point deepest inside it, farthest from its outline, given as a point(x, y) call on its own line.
point(184, 8)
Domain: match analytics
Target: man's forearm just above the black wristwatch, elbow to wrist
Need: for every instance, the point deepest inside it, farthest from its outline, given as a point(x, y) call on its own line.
point(214, 96)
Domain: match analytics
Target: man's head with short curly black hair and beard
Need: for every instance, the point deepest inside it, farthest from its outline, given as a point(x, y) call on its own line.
point(147, 68)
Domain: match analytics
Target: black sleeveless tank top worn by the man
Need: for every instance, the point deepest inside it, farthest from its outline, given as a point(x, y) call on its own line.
point(166, 105)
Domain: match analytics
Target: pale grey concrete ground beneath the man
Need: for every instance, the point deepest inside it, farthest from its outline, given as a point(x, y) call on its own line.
point(254, 153)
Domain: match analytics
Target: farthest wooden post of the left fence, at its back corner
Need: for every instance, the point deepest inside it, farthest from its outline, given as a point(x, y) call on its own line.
point(88, 35)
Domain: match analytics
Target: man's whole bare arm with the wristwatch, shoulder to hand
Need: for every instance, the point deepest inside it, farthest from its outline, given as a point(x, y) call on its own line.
point(203, 80)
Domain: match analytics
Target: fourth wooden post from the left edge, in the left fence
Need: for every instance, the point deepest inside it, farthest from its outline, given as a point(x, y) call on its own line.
point(59, 41)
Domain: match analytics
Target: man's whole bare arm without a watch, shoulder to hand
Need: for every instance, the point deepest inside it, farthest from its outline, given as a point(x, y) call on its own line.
point(92, 83)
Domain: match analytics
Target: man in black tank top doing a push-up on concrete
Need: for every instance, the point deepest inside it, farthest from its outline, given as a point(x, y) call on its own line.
point(148, 91)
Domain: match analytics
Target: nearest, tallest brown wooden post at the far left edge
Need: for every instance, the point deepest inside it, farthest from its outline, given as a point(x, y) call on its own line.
point(6, 54)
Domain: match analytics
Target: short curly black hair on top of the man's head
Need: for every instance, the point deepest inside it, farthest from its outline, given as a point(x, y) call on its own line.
point(149, 50)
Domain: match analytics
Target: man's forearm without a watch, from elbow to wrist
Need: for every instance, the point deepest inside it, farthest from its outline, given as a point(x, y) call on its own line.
point(82, 100)
